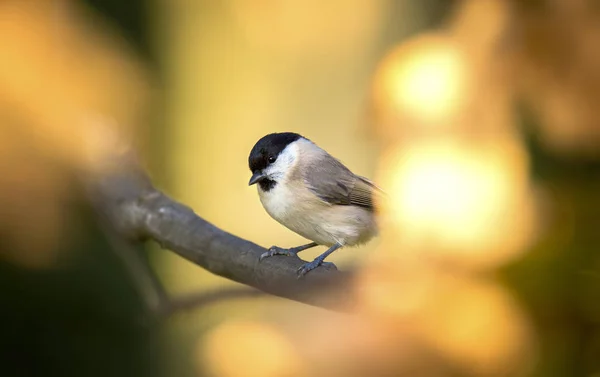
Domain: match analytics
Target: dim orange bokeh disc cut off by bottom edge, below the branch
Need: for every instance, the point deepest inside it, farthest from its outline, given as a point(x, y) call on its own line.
point(237, 349)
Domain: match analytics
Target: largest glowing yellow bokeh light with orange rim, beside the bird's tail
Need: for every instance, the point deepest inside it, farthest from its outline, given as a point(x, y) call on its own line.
point(460, 199)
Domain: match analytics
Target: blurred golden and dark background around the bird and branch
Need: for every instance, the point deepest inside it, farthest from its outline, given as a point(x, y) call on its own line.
point(478, 117)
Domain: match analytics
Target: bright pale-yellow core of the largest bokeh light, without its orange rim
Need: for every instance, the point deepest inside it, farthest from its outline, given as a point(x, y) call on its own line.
point(439, 185)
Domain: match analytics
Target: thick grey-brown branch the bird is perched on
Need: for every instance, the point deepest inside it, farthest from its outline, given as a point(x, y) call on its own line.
point(138, 211)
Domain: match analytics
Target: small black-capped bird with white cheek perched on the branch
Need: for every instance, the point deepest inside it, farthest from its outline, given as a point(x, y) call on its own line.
point(313, 194)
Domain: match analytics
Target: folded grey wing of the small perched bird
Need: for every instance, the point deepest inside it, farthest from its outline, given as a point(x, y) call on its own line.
point(334, 183)
